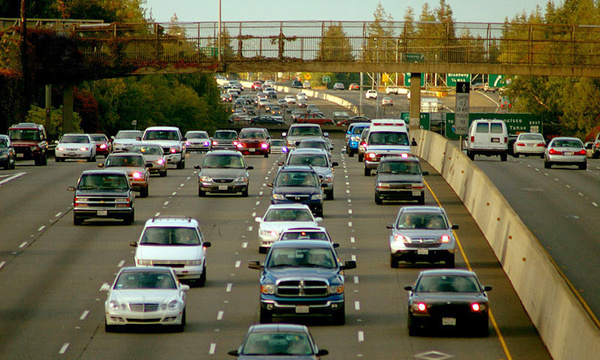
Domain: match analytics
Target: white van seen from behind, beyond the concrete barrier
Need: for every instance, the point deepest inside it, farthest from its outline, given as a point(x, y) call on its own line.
point(487, 137)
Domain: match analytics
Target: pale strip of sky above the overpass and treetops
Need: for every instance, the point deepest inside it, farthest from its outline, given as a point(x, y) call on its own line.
point(485, 11)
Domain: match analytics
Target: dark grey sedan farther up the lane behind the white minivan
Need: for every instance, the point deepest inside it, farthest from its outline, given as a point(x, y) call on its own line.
point(225, 172)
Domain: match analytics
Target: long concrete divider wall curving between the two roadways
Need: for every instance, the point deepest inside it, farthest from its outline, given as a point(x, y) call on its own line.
point(563, 323)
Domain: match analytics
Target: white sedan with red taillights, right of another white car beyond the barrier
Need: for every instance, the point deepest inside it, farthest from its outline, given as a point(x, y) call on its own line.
point(565, 151)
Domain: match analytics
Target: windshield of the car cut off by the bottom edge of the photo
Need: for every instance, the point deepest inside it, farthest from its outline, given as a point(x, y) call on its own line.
point(277, 343)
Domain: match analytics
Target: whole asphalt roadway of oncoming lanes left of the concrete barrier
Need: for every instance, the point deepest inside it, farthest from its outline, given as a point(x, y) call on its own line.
point(51, 272)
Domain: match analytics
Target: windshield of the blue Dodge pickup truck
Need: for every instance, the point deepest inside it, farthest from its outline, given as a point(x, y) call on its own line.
point(302, 257)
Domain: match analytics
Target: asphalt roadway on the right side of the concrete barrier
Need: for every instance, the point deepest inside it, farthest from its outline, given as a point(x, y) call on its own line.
point(565, 223)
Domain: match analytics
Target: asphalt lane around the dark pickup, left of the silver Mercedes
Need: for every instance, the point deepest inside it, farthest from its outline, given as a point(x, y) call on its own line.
point(53, 297)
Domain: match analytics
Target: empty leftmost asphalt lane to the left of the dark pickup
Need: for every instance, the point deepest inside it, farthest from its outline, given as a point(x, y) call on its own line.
point(33, 201)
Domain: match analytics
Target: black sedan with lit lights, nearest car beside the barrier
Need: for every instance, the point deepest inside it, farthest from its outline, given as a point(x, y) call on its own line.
point(448, 299)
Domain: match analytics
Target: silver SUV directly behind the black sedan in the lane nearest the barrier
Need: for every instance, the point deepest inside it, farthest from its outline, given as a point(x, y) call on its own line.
point(422, 233)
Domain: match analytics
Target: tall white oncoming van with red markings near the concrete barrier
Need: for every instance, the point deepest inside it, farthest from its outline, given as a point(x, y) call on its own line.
point(386, 137)
